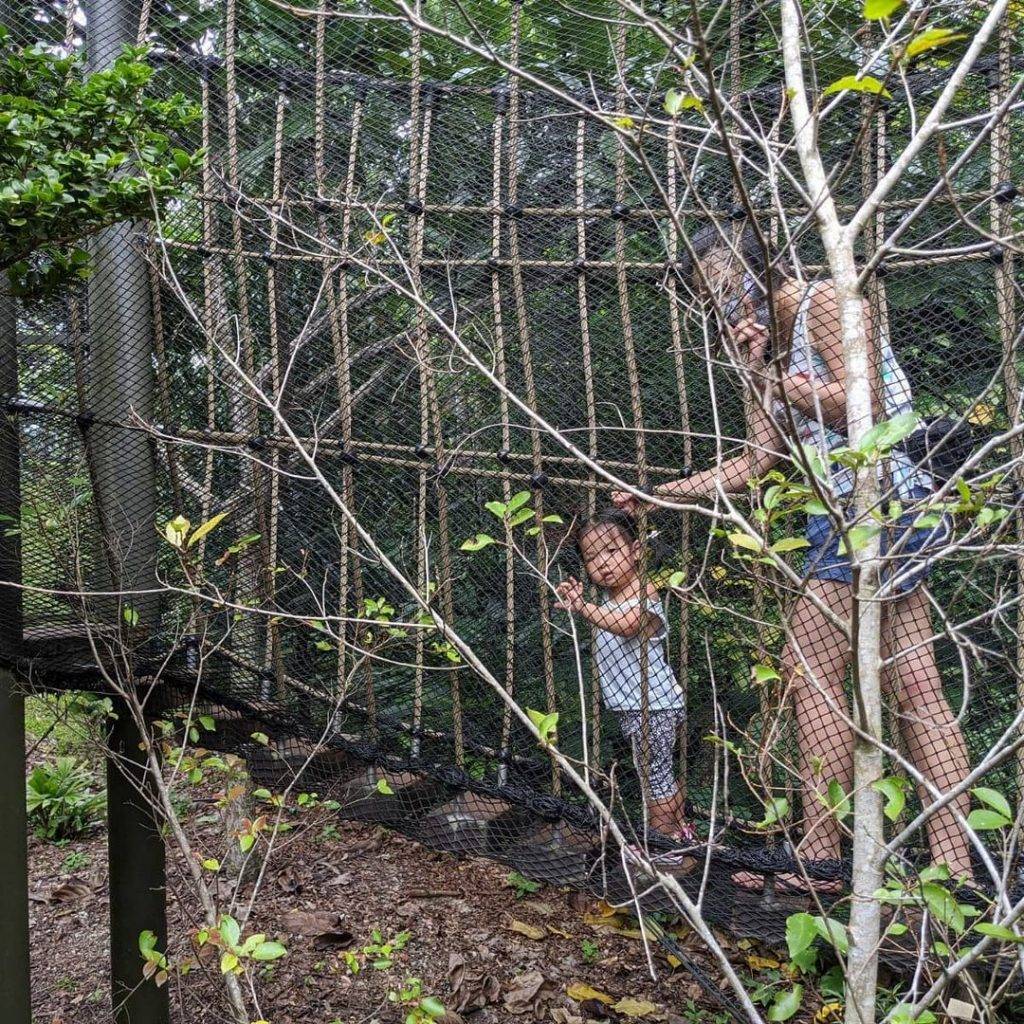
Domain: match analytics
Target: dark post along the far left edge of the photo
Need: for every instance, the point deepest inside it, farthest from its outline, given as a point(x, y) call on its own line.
point(15, 970)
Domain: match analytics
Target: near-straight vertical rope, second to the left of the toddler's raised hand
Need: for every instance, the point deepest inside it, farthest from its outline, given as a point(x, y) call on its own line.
point(501, 112)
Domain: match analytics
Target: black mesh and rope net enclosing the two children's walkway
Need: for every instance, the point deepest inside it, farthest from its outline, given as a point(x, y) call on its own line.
point(332, 443)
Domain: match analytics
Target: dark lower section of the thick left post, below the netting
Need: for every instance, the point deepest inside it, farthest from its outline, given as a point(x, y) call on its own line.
point(138, 877)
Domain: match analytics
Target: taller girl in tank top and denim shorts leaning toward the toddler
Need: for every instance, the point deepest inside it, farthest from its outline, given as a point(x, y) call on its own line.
point(808, 400)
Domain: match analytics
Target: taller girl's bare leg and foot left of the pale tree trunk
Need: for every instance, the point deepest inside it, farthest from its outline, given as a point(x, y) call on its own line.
point(815, 662)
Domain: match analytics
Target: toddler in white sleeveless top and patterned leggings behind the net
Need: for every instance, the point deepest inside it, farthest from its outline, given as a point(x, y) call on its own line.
point(631, 618)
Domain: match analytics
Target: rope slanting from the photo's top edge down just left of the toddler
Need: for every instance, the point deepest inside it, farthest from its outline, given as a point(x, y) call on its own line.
point(523, 330)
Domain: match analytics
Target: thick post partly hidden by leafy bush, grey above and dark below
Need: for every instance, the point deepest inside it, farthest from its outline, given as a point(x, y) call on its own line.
point(121, 388)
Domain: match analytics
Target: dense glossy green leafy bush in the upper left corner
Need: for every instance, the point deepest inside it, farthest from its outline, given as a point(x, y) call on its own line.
point(79, 153)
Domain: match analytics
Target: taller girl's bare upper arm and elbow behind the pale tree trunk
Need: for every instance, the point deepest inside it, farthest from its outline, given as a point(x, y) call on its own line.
point(827, 400)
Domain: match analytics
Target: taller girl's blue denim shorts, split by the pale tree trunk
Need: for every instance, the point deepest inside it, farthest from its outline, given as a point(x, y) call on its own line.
point(912, 559)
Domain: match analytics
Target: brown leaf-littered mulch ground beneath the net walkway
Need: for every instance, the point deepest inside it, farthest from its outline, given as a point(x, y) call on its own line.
point(490, 946)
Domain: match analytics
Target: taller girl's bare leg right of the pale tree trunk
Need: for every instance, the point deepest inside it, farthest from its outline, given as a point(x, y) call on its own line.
point(934, 742)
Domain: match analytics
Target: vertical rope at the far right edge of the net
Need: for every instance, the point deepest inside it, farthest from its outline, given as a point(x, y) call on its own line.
point(1006, 305)
